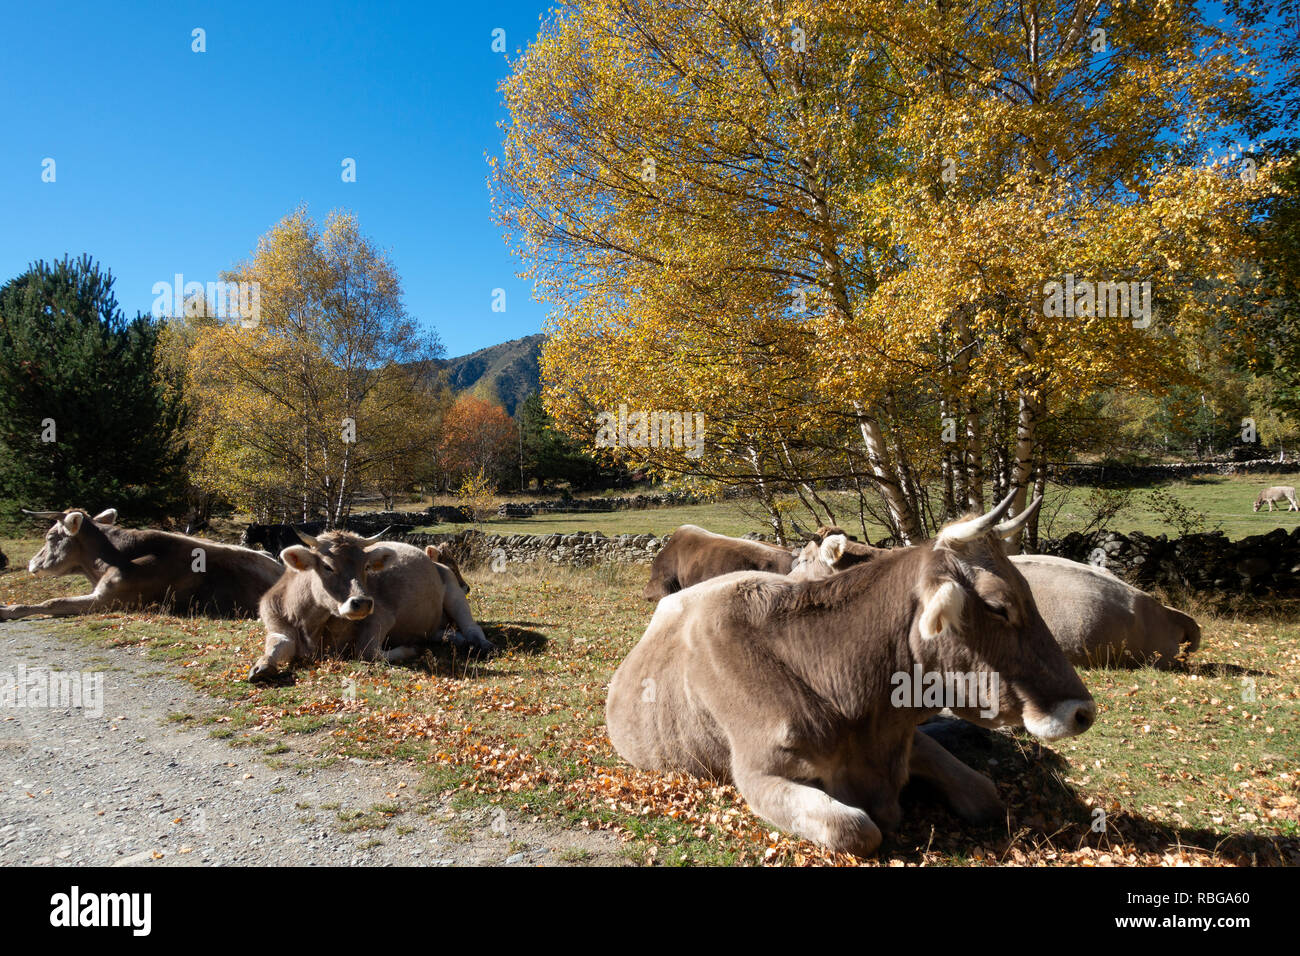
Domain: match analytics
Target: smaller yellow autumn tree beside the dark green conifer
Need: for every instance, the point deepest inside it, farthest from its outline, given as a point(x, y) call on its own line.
point(327, 392)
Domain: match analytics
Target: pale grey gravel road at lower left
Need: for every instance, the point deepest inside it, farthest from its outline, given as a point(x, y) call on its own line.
point(138, 788)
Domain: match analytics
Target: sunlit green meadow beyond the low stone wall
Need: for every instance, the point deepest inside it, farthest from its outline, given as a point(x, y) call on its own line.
point(1225, 503)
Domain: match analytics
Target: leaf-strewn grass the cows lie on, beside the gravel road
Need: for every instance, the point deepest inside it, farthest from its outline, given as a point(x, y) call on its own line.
point(1195, 767)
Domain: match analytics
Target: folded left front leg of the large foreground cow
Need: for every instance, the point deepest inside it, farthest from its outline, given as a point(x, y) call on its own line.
point(808, 812)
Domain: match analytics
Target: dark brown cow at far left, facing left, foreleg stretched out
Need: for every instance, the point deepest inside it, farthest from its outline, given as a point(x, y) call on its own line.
point(138, 568)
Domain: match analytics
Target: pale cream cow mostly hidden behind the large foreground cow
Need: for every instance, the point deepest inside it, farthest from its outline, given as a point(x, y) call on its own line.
point(1098, 620)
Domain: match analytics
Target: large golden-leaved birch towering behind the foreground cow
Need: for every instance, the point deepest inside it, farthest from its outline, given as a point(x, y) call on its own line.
point(840, 219)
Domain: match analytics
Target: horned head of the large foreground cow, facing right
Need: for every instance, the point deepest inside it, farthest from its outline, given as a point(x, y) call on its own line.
point(978, 618)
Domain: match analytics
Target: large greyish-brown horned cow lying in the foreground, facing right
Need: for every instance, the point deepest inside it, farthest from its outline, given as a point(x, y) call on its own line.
point(783, 687)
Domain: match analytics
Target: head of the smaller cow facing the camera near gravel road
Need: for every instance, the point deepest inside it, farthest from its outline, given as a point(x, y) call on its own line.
point(339, 566)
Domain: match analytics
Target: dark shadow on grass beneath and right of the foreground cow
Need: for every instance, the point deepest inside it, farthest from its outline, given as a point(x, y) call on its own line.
point(1050, 819)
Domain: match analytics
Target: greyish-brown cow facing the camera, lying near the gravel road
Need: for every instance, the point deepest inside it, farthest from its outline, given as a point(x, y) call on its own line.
point(348, 595)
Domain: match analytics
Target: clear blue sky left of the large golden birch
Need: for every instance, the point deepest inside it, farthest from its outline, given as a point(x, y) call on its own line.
point(170, 161)
